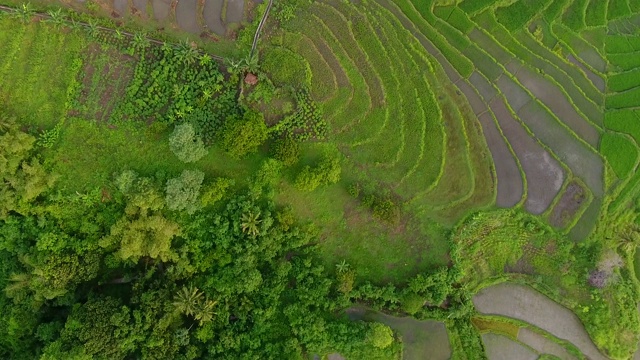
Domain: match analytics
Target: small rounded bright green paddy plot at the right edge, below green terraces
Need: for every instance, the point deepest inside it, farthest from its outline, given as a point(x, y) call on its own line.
point(620, 152)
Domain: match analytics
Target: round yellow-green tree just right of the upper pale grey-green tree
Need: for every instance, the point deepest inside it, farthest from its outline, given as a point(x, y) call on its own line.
point(242, 136)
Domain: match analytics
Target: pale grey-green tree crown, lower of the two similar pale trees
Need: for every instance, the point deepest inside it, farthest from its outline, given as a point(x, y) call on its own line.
point(183, 192)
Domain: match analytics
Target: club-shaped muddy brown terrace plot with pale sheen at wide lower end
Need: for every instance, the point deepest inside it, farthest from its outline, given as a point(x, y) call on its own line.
point(544, 174)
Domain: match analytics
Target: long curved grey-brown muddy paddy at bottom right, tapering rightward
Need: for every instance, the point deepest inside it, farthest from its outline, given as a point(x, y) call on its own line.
point(526, 304)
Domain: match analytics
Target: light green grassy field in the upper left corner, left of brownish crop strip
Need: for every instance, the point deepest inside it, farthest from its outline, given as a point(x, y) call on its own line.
point(38, 68)
